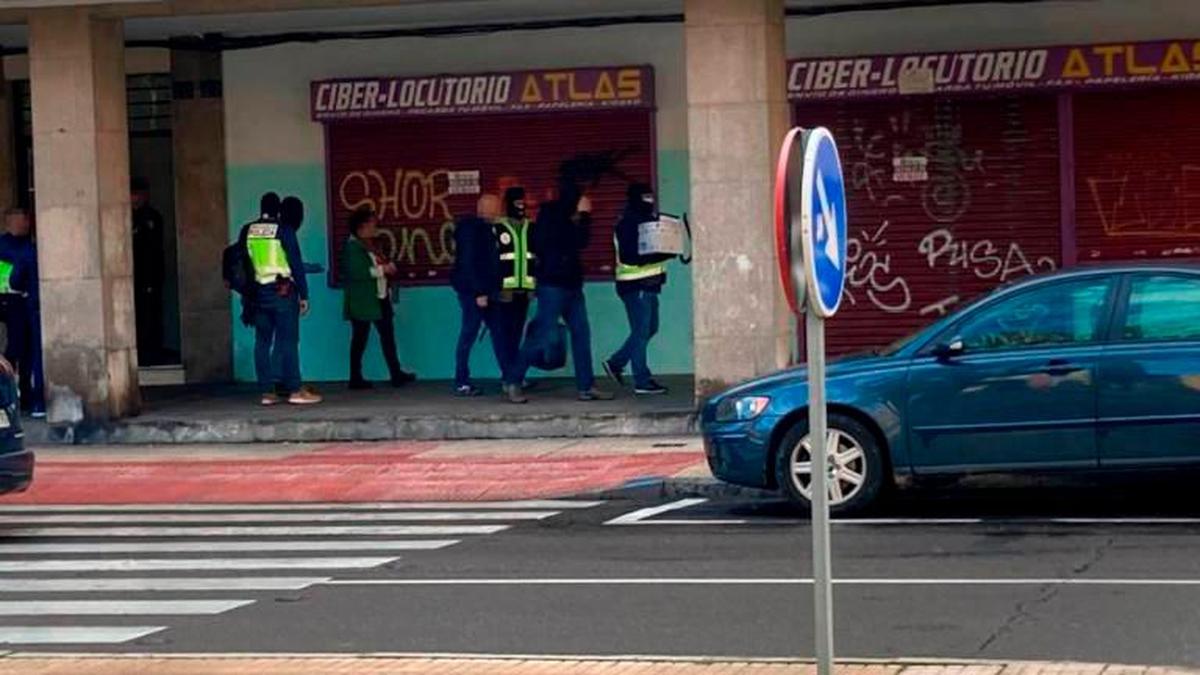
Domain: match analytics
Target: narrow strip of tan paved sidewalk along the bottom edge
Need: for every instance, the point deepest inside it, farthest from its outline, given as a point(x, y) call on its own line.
point(69, 665)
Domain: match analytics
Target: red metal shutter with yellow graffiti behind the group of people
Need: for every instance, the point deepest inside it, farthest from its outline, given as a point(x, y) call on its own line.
point(400, 168)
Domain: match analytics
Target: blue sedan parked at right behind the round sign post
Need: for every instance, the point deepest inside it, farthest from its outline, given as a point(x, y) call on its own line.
point(1090, 369)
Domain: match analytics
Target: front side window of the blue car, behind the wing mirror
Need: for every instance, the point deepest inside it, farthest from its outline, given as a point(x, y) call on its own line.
point(1058, 314)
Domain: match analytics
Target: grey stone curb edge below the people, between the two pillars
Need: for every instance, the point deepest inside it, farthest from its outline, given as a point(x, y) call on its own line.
point(249, 431)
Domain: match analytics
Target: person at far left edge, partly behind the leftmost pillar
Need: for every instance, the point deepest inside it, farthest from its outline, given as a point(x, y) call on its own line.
point(20, 303)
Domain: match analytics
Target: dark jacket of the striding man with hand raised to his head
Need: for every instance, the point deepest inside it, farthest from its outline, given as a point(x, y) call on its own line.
point(557, 240)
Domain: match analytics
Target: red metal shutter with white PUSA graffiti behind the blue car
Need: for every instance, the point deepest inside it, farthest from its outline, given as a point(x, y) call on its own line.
point(947, 199)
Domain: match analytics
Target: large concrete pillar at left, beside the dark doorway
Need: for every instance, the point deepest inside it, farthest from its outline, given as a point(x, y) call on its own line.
point(82, 174)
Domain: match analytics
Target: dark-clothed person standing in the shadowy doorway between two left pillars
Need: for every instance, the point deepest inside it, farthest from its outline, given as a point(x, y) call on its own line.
point(149, 250)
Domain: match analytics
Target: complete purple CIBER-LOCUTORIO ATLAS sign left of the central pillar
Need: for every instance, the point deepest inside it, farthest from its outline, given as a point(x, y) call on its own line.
point(524, 92)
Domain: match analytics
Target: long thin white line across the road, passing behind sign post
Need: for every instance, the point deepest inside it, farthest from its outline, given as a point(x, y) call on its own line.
point(761, 582)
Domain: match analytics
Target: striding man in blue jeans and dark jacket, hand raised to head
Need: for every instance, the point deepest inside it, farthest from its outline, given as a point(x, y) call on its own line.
point(561, 234)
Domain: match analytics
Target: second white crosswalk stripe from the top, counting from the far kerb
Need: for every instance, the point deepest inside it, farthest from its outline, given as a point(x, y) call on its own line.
point(173, 518)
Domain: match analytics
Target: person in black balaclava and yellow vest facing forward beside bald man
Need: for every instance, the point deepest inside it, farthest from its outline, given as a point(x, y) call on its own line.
point(518, 283)
